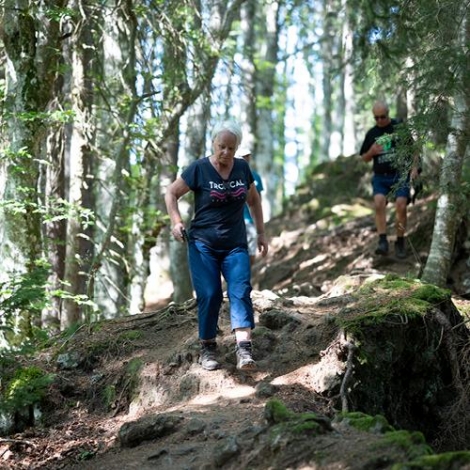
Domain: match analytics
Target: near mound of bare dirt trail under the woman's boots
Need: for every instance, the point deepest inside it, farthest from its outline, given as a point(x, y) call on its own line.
point(176, 415)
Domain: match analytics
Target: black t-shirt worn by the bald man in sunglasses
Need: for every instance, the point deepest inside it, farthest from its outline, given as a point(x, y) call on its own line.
point(387, 162)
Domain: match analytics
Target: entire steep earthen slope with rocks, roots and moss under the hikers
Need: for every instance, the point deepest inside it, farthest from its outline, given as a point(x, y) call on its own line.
point(129, 393)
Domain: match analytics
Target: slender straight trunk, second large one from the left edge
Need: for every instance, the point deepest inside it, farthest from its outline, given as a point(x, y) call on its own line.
point(79, 138)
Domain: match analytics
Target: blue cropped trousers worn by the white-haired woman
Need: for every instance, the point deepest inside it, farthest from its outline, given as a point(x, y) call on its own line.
point(206, 266)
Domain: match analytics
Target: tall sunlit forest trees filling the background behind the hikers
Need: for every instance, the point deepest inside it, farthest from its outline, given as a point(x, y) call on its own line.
point(103, 103)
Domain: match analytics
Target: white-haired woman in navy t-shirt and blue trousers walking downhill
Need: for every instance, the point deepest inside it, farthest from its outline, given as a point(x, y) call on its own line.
point(217, 242)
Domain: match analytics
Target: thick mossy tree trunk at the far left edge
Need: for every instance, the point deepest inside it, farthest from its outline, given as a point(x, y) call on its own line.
point(23, 98)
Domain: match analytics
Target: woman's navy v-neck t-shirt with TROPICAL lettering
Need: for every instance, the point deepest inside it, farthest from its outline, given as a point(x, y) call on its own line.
point(218, 209)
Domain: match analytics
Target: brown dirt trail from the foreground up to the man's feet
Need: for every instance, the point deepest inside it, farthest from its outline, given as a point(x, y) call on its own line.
point(144, 369)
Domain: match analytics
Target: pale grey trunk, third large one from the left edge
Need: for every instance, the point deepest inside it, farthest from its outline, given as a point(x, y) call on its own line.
point(110, 269)
